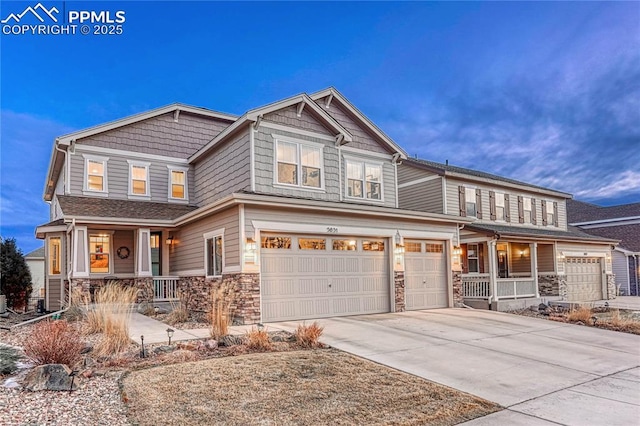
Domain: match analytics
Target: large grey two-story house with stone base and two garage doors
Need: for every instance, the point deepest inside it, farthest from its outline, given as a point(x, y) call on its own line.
point(296, 205)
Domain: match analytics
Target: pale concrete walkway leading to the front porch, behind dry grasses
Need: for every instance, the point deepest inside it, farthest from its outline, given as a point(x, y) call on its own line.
point(155, 331)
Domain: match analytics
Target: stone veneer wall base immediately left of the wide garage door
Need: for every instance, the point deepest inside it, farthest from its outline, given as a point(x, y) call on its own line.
point(242, 291)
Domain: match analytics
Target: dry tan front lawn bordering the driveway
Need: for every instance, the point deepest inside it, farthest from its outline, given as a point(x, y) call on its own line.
point(319, 387)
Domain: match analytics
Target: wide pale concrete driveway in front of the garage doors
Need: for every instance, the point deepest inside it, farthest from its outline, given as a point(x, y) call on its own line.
point(542, 371)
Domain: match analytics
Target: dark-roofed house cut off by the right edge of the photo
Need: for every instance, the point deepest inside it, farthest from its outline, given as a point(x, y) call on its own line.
point(622, 223)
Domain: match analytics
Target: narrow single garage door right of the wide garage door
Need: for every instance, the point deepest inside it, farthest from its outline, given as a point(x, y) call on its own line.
point(425, 275)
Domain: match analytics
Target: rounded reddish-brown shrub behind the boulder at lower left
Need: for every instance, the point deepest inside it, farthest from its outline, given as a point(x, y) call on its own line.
point(54, 342)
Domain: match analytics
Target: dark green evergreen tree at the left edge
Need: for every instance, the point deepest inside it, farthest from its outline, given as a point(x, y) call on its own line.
point(15, 277)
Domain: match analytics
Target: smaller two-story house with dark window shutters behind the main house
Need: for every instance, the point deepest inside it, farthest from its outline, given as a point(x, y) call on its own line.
point(519, 245)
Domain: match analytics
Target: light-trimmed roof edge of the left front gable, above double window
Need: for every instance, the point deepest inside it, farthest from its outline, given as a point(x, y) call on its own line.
point(255, 115)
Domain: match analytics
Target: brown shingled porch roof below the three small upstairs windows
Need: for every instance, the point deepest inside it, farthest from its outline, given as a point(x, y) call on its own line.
point(125, 209)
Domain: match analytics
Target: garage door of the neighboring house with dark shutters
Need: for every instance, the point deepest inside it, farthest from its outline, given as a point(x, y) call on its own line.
point(584, 279)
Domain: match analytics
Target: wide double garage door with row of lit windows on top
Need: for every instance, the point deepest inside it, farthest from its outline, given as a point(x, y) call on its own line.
point(317, 276)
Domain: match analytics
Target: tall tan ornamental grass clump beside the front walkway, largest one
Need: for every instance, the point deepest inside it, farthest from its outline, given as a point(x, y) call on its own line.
point(111, 316)
